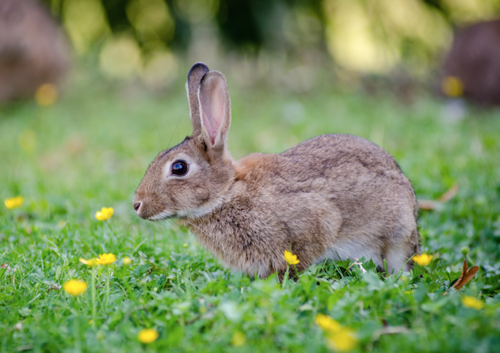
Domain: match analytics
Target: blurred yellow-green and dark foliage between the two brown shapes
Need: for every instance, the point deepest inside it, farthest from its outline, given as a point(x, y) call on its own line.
point(365, 35)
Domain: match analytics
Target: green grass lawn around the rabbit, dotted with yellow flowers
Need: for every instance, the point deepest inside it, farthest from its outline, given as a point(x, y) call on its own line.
point(91, 149)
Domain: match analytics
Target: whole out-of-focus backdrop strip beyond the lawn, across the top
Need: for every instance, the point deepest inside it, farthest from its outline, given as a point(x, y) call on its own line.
point(290, 45)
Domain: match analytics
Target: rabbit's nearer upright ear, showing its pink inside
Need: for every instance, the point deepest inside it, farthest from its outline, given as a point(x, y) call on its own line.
point(215, 107)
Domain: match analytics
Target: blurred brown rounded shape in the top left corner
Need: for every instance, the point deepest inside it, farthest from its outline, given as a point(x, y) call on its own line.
point(33, 49)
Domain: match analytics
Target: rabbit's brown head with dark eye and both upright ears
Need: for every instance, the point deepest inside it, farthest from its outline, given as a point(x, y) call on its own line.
point(190, 179)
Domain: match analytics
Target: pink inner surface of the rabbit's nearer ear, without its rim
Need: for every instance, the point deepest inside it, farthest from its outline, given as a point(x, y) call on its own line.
point(212, 110)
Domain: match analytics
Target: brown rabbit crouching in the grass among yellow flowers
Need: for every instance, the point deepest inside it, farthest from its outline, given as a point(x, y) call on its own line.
point(333, 196)
